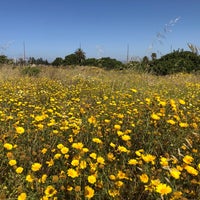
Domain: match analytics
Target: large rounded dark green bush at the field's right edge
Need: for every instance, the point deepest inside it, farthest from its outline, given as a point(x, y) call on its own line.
point(175, 62)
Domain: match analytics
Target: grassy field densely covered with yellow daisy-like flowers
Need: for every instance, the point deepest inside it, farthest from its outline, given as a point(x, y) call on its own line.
point(94, 134)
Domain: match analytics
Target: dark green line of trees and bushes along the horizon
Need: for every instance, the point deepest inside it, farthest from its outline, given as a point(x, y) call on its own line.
point(174, 62)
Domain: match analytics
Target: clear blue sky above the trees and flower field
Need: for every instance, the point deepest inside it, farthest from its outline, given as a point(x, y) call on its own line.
point(103, 28)
